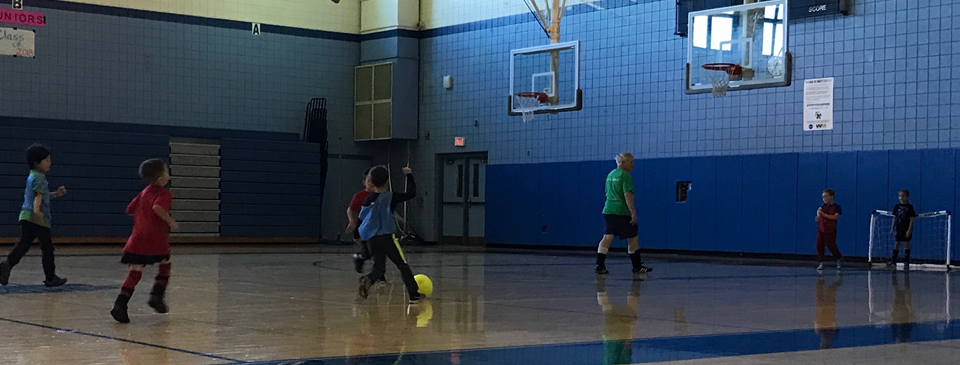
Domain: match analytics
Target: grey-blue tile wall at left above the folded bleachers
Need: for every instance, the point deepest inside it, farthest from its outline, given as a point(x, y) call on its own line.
point(117, 67)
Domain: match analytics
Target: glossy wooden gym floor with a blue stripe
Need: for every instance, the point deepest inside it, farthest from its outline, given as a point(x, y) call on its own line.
point(298, 305)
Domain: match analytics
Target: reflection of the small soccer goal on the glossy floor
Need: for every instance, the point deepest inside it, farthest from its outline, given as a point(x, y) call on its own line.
point(902, 297)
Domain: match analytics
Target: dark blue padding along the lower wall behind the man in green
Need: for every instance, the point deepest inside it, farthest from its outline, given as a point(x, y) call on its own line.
point(757, 204)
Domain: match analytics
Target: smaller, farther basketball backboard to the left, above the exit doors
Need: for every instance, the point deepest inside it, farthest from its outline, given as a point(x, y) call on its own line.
point(545, 79)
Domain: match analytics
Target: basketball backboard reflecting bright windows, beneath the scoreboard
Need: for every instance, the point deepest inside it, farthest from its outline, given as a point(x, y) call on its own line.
point(744, 46)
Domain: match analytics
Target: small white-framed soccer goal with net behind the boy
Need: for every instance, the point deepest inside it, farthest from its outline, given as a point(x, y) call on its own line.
point(930, 244)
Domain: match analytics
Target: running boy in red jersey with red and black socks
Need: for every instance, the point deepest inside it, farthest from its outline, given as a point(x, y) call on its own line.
point(150, 241)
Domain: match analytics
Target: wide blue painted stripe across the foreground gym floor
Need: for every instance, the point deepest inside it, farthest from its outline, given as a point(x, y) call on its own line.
point(664, 348)
